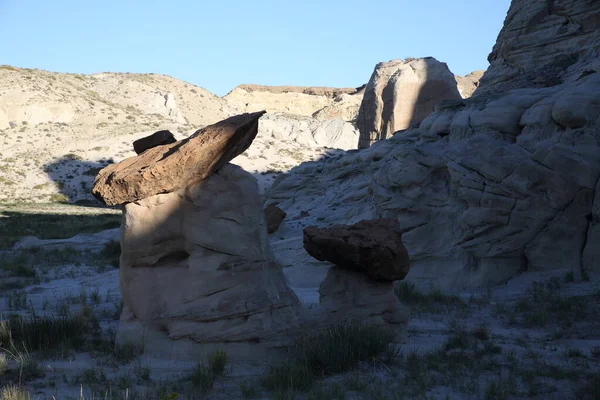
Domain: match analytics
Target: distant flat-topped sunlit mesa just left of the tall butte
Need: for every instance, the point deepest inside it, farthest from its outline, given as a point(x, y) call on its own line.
point(318, 102)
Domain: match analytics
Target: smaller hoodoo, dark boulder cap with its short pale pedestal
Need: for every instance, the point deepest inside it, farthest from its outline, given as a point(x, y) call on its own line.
point(368, 257)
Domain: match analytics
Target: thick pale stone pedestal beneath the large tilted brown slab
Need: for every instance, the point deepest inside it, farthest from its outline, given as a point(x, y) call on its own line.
point(196, 267)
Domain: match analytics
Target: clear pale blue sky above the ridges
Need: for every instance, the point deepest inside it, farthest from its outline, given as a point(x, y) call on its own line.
point(220, 44)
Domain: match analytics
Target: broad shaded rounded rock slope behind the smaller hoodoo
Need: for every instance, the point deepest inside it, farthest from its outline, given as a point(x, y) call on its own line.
point(485, 187)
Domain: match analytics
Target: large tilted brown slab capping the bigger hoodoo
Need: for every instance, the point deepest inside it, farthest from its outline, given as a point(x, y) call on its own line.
point(174, 166)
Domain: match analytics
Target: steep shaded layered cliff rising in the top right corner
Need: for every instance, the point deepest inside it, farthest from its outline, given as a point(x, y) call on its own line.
point(544, 43)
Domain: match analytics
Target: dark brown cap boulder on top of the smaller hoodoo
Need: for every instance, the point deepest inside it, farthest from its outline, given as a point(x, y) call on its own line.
point(373, 247)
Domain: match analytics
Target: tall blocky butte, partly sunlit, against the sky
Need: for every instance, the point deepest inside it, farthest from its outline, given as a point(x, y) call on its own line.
point(401, 94)
